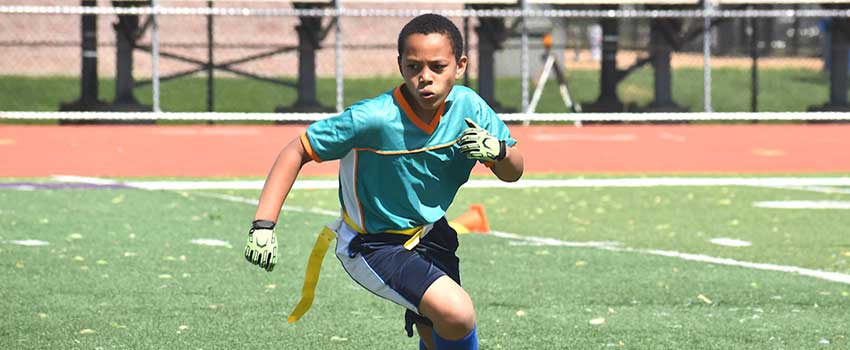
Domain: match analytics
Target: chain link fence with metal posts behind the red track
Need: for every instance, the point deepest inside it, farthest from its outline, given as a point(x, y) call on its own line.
point(227, 61)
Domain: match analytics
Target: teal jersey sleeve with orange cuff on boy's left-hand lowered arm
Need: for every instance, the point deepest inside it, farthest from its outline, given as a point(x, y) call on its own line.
point(331, 138)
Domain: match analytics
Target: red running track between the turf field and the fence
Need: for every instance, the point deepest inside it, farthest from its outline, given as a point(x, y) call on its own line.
point(250, 150)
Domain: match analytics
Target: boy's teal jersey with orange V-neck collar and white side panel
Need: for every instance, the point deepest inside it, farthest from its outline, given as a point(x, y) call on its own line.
point(396, 172)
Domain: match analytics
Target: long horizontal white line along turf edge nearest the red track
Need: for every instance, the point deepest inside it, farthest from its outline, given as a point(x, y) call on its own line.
point(781, 182)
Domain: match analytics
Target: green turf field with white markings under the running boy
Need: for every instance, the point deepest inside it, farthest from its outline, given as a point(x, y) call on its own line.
point(120, 272)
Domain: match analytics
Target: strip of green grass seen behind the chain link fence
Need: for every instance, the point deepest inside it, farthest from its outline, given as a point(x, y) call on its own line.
point(731, 91)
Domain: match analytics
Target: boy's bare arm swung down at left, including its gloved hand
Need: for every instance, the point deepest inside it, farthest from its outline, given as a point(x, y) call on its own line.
point(261, 248)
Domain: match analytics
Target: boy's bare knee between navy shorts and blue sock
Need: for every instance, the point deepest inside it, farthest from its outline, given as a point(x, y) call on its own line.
point(449, 308)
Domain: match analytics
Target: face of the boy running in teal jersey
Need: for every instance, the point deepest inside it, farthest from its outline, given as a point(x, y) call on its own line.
point(429, 69)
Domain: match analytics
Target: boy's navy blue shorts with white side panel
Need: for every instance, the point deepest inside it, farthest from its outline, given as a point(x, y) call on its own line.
point(379, 263)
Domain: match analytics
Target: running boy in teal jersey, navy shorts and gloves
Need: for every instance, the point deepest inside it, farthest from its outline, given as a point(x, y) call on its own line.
point(403, 156)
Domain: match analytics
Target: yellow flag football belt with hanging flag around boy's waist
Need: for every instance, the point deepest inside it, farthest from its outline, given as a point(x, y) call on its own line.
point(317, 255)
